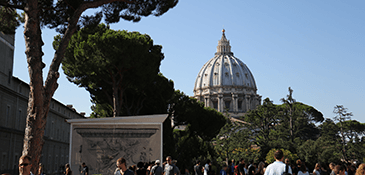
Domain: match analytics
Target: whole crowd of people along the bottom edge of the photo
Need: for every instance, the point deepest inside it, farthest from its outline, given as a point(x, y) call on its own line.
point(280, 166)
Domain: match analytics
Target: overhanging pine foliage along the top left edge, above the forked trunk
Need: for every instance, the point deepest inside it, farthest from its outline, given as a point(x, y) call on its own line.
point(57, 14)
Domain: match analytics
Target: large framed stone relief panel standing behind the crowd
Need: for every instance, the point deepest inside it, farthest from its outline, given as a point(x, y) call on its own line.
point(100, 142)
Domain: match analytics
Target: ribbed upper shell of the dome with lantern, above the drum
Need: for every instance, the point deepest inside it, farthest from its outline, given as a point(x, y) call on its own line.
point(224, 70)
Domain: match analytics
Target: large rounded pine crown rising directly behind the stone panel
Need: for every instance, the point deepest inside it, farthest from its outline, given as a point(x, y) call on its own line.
point(110, 63)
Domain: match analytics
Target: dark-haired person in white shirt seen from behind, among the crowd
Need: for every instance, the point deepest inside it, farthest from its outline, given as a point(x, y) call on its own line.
point(278, 167)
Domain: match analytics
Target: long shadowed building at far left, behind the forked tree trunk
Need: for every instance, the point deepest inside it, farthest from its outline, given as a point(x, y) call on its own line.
point(13, 112)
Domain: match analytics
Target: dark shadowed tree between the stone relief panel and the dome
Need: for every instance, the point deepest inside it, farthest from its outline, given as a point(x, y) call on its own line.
point(201, 126)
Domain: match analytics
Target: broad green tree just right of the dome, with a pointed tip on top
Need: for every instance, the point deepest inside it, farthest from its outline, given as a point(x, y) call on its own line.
point(285, 126)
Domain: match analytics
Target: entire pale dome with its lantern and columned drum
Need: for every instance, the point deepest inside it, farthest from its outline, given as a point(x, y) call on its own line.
point(226, 83)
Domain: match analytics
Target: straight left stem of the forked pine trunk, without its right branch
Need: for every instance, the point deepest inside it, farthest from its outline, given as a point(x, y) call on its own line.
point(38, 102)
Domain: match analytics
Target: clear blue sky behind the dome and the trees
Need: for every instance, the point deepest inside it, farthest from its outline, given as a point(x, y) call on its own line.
point(315, 47)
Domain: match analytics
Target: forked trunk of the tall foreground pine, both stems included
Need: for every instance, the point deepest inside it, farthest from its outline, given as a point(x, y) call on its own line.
point(40, 95)
